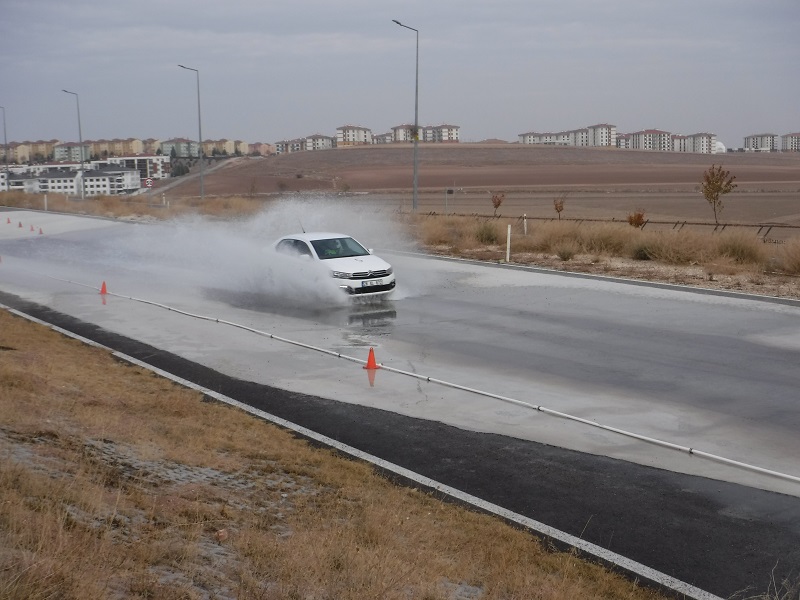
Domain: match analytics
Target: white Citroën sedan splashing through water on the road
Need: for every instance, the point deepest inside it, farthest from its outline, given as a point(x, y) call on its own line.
point(356, 270)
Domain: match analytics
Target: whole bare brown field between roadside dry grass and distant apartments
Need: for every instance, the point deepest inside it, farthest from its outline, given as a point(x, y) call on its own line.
point(596, 183)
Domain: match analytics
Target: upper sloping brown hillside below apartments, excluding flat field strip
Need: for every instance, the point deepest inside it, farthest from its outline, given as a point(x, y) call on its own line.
point(484, 166)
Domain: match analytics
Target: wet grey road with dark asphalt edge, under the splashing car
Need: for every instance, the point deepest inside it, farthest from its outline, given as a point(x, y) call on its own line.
point(716, 373)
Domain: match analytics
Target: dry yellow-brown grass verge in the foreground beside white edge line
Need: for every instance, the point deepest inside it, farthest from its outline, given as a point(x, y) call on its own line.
point(191, 499)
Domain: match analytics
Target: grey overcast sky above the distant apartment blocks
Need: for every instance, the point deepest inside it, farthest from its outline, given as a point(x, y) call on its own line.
point(273, 70)
